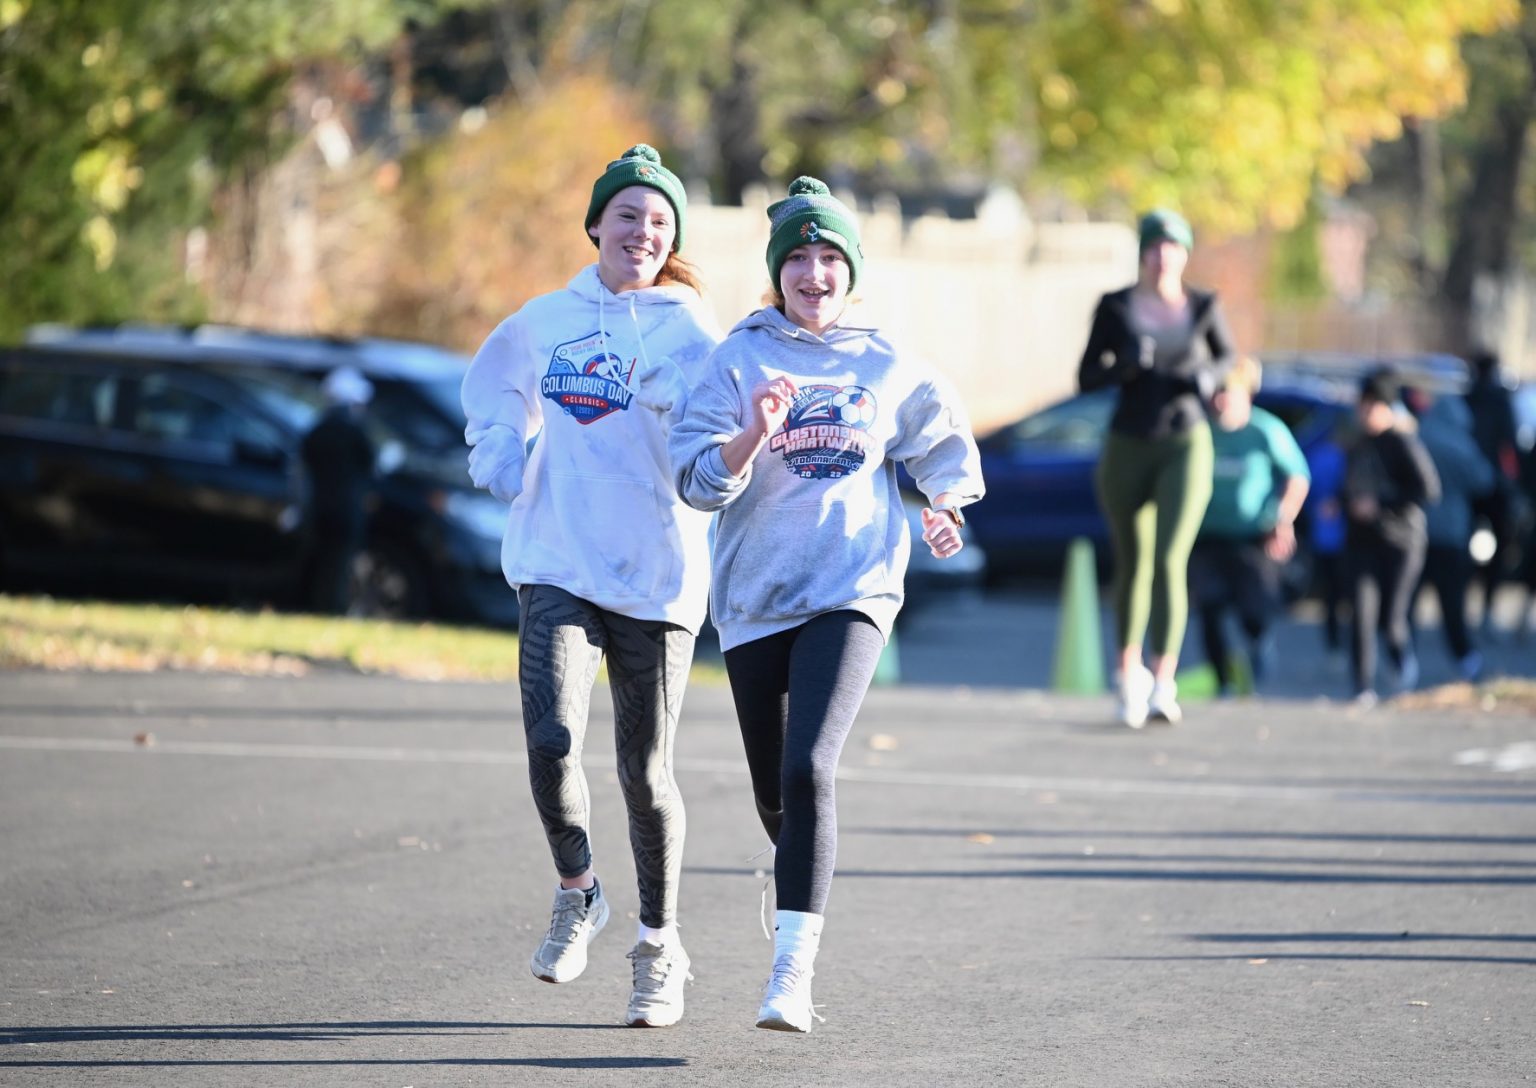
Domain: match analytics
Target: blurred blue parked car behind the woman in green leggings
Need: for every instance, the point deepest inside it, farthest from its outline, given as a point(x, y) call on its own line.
point(1041, 469)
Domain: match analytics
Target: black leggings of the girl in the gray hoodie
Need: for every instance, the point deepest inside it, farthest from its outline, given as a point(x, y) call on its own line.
point(796, 698)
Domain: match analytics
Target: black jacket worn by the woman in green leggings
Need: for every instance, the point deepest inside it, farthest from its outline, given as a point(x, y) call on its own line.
point(1160, 394)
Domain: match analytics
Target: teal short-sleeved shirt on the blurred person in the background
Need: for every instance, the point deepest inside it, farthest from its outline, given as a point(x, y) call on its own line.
point(1253, 465)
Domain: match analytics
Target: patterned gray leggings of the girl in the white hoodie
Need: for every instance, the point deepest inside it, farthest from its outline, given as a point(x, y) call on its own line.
point(561, 643)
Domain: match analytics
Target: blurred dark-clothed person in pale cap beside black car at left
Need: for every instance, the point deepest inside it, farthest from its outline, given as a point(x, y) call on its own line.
point(340, 459)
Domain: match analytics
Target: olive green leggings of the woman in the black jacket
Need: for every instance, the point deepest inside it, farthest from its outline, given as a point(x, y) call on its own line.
point(1154, 493)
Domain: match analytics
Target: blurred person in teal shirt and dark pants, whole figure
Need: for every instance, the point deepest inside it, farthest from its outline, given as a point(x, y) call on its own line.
point(1259, 483)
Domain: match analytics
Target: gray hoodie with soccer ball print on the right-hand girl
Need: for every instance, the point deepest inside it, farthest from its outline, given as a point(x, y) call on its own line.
point(815, 523)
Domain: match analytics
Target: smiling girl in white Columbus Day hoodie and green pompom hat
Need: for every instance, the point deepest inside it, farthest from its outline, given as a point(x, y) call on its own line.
point(569, 406)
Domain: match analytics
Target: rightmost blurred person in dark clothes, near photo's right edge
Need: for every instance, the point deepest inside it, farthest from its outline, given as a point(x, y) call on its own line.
point(1495, 431)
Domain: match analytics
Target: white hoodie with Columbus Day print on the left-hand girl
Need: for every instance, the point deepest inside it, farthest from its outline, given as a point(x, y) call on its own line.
point(571, 403)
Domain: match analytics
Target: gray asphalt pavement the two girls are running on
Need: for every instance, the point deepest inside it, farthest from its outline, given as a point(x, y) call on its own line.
point(339, 880)
